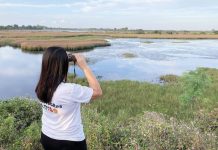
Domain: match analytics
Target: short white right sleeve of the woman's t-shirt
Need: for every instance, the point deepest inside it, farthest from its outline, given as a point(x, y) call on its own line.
point(81, 94)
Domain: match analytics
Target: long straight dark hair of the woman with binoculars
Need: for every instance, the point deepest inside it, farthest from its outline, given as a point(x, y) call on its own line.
point(54, 71)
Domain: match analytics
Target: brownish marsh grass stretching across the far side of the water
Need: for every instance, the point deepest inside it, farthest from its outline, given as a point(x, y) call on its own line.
point(72, 41)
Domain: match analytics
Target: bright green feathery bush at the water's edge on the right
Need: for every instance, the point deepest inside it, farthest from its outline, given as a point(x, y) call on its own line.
point(194, 84)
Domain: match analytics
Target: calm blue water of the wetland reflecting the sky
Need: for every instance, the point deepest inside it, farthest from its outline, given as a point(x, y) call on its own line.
point(19, 71)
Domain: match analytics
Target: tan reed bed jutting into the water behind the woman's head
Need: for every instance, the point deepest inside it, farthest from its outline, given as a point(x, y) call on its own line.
point(38, 41)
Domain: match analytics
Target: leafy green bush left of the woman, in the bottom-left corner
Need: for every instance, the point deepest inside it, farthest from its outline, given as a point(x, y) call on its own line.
point(19, 126)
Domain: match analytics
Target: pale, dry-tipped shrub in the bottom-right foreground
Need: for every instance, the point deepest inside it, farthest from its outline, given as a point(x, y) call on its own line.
point(158, 132)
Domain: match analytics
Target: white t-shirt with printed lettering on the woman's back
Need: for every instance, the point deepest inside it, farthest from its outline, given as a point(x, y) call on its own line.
point(61, 119)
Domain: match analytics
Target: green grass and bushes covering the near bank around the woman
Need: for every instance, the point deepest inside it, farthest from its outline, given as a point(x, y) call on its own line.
point(181, 113)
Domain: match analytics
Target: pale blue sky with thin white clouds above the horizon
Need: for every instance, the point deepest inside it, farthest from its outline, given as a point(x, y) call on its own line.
point(145, 14)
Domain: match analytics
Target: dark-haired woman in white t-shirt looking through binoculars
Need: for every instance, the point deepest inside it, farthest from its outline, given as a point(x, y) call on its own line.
point(62, 127)
